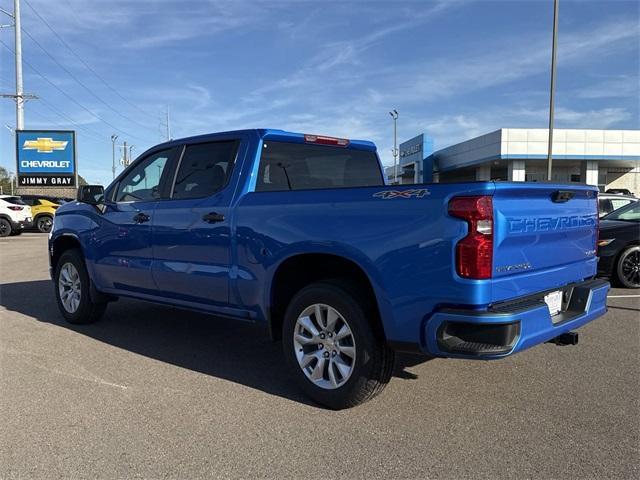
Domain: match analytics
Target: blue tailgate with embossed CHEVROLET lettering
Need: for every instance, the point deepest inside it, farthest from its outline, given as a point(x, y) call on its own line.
point(544, 236)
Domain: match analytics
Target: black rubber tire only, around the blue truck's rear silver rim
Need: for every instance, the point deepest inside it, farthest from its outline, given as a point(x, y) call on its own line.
point(373, 363)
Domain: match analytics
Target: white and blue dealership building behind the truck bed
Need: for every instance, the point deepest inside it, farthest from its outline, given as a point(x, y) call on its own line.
point(606, 158)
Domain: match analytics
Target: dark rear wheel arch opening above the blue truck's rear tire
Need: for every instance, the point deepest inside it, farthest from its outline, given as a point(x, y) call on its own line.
point(299, 270)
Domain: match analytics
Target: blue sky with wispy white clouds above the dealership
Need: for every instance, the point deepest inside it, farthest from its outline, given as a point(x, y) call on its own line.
point(453, 69)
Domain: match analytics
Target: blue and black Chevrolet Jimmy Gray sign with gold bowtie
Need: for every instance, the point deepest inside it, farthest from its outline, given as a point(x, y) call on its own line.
point(46, 158)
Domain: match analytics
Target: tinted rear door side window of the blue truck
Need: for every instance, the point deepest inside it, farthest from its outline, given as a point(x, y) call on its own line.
point(204, 169)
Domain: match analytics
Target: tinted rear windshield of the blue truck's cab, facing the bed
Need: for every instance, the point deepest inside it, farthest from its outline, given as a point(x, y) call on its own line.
point(295, 166)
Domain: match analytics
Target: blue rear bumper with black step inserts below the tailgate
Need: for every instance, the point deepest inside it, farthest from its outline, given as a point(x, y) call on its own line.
point(513, 326)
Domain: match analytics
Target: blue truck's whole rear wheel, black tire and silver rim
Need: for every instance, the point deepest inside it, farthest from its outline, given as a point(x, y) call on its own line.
point(334, 347)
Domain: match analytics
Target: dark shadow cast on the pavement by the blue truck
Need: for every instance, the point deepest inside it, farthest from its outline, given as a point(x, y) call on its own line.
point(227, 349)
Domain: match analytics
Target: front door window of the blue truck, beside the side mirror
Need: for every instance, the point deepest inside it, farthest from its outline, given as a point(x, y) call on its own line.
point(143, 182)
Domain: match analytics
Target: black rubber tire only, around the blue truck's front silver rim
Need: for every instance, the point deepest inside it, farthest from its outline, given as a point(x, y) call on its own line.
point(88, 311)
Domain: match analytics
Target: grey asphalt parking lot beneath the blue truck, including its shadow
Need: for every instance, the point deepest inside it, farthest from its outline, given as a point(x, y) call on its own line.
point(155, 392)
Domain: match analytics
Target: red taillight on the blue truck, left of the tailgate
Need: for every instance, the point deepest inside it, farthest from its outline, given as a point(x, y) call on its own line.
point(474, 253)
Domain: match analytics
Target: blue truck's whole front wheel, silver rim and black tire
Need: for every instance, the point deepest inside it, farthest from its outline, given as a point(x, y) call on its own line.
point(72, 288)
